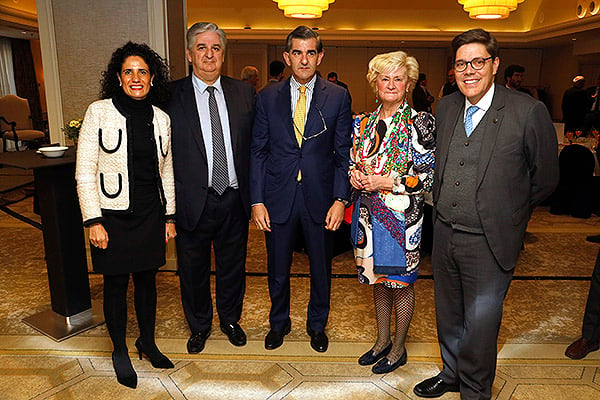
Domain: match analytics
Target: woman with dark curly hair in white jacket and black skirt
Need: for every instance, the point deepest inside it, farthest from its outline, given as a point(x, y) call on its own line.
point(126, 193)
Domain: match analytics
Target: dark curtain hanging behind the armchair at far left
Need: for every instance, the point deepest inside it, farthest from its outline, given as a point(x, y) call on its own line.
point(26, 82)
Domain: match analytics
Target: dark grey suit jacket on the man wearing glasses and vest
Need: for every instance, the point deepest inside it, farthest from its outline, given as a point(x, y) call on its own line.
point(518, 165)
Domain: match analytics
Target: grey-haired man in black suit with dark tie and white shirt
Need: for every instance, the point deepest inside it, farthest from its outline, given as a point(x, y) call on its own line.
point(211, 119)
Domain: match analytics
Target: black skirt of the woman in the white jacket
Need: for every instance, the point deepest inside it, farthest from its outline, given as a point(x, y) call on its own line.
point(136, 241)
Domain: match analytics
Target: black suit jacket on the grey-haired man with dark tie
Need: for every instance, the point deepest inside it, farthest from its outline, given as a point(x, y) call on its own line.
point(189, 154)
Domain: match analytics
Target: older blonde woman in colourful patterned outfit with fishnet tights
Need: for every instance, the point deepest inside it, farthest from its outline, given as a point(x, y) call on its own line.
point(391, 169)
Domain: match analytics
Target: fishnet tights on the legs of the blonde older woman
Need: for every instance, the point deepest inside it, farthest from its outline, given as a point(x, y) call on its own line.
point(403, 300)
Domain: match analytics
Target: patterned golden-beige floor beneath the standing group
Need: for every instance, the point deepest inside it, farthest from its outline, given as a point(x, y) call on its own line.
point(542, 315)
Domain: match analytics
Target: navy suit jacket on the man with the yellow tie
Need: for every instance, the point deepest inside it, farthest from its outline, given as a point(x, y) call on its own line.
point(276, 157)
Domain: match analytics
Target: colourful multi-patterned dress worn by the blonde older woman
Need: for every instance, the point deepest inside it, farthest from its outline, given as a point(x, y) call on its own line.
point(386, 226)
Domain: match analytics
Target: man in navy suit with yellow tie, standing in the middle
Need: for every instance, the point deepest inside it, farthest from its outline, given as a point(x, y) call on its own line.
point(299, 179)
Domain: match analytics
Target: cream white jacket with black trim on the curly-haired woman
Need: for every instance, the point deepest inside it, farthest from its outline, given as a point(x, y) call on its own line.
point(102, 171)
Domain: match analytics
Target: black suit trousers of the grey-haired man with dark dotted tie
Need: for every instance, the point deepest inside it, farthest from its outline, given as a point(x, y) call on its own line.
point(224, 226)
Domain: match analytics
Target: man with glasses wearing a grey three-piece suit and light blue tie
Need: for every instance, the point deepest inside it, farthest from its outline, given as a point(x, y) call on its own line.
point(496, 159)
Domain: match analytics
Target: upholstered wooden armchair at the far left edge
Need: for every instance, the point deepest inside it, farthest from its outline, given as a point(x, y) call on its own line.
point(16, 123)
